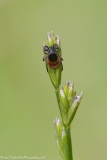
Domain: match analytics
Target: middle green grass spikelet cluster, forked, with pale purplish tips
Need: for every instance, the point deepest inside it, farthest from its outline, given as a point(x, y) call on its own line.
point(69, 102)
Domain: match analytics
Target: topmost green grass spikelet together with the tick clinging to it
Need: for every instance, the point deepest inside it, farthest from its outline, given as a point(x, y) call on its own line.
point(53, 59)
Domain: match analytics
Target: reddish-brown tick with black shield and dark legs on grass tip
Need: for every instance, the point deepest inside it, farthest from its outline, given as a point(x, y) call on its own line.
point(52, 58)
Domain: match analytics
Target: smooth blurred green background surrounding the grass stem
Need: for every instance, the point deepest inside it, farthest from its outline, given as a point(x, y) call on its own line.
point(27, 100)
